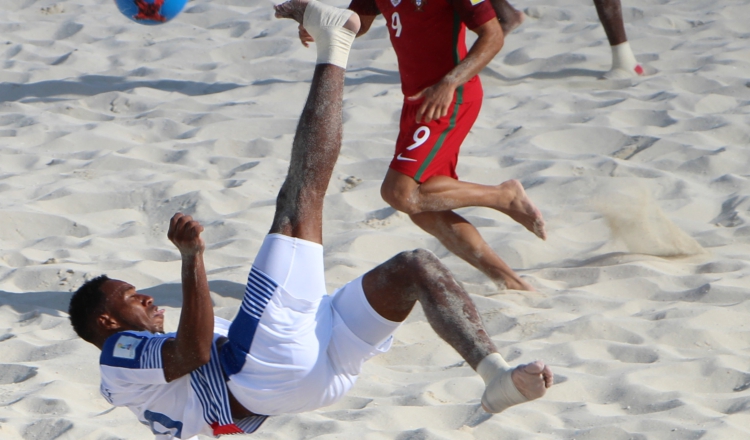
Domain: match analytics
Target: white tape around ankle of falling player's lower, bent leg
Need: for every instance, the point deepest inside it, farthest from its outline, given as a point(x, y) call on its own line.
point(500, 393)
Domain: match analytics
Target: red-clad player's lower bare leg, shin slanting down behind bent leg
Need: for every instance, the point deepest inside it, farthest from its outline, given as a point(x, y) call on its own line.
point(462, 238)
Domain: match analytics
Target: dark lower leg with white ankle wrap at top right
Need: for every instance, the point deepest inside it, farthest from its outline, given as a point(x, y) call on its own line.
point(623, 61)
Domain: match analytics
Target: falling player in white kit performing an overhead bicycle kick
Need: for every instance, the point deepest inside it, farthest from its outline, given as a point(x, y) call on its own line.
point(291, 348)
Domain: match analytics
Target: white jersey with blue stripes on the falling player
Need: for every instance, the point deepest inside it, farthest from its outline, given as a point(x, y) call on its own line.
point(132, 375)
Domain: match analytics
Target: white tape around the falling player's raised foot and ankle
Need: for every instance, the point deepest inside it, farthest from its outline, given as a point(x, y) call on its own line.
point(325, 24)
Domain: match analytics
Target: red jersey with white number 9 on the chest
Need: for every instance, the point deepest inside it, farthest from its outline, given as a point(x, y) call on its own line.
point(429, 37)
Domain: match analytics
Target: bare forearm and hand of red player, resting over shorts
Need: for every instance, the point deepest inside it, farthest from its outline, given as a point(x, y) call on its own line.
point(438, 97)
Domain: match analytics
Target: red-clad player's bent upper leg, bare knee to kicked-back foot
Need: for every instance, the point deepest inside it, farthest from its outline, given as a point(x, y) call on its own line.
point(441, 193)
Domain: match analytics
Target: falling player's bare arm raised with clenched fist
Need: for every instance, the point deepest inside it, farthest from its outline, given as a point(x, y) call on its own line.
point(191, 348)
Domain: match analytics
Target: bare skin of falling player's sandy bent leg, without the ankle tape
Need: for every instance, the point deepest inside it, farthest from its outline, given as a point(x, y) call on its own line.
point(396, 285)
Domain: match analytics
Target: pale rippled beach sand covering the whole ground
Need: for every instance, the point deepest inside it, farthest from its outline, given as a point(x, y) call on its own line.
point(108, 127)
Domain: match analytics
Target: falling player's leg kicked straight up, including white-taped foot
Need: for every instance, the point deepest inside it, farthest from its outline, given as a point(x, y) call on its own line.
point(317, 141)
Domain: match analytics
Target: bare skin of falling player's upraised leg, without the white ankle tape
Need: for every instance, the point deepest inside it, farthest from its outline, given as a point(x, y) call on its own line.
point(317, 142)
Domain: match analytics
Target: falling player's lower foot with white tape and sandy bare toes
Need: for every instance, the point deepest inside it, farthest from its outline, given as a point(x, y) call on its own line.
point(511, 387)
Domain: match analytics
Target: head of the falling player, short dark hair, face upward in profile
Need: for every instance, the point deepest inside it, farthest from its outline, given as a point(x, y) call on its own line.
point(103, 306)
